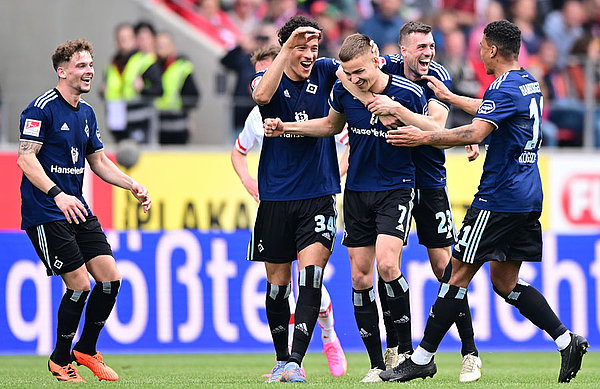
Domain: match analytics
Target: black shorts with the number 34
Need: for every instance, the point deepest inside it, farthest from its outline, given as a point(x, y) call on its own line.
point(283, 228)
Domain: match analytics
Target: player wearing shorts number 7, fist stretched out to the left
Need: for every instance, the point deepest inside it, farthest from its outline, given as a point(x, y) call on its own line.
point(379, 190)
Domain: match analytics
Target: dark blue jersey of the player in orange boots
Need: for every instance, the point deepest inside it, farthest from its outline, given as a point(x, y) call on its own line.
point(67, 134)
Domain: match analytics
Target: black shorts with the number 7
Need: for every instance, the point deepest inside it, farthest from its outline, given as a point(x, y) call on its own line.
point(368, 214)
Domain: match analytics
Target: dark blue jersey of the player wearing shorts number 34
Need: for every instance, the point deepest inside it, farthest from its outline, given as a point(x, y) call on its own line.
point(293, 167)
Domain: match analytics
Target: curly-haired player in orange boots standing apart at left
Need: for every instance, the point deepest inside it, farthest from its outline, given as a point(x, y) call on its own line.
point(58, 133)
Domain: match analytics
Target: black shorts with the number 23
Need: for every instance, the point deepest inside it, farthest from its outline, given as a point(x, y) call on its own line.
point(433, 217)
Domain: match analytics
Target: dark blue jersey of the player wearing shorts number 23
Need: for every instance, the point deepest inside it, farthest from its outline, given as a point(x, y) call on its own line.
point(429, 161)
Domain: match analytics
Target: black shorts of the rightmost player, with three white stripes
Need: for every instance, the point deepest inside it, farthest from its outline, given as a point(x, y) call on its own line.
point(499, 236)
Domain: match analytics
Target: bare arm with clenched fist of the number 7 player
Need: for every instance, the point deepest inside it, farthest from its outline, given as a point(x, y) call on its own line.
point(330, 125)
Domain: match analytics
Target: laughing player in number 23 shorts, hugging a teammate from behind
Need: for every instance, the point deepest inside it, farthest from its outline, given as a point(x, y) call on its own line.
point(432, 211)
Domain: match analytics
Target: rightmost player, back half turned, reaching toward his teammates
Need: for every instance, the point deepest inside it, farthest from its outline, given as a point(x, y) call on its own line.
point(502, 225)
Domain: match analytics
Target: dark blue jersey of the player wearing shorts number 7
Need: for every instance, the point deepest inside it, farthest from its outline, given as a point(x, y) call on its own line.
point(374, 164)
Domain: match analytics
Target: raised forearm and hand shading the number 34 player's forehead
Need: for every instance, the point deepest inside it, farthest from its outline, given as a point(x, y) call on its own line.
point(267, 86)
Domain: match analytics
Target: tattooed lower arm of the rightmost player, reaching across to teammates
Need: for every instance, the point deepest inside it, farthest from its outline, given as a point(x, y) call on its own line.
point(411, 136)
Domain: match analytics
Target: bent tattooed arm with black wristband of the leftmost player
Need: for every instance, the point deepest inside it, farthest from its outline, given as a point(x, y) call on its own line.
point(71, 206)
